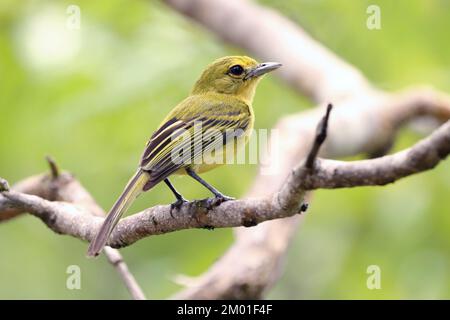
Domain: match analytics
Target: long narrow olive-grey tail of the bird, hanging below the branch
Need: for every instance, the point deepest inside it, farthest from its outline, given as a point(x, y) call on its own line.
point(132, 190)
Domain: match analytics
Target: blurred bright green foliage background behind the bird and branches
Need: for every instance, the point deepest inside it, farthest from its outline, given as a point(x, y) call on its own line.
point(91, 97)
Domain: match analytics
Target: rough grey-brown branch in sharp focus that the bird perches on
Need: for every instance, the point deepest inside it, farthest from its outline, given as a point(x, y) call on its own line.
point(68, 219)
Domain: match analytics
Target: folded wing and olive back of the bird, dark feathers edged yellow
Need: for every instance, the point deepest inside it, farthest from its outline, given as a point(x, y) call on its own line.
point(188, 135)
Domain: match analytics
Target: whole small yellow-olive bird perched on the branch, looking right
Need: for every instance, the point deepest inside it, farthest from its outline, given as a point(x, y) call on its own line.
point(219, 106)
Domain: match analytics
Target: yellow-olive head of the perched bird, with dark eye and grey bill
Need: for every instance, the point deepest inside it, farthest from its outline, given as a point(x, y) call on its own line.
point(234, 75)
